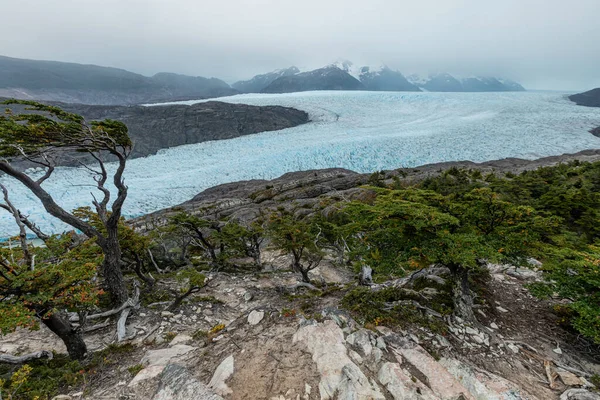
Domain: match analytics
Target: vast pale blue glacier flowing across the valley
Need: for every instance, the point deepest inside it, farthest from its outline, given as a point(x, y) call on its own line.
point(361, 131)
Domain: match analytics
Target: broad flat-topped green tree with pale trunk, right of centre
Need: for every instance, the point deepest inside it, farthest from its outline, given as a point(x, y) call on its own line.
point(408, 230)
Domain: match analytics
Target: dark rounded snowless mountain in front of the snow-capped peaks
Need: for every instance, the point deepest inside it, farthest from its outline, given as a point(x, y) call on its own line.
point(327, 78)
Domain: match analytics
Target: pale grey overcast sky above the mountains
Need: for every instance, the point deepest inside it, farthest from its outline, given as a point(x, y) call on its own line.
point(544, 44)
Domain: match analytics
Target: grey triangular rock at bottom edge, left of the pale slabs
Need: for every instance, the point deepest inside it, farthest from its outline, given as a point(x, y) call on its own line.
point(176, 383)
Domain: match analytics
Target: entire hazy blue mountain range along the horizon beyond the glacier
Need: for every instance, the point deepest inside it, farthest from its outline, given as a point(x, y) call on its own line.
point(91, 84)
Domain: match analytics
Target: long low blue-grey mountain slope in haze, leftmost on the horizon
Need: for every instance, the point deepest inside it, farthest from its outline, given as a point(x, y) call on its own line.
point(92, 84)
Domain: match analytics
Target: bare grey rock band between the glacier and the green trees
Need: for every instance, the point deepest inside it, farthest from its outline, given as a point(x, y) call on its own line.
point(248, 198)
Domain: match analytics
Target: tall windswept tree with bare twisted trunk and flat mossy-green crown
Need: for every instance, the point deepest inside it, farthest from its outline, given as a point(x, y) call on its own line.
point(40, 135)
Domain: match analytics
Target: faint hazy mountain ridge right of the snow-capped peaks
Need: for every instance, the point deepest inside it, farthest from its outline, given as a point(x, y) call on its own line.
point(444, 82)
